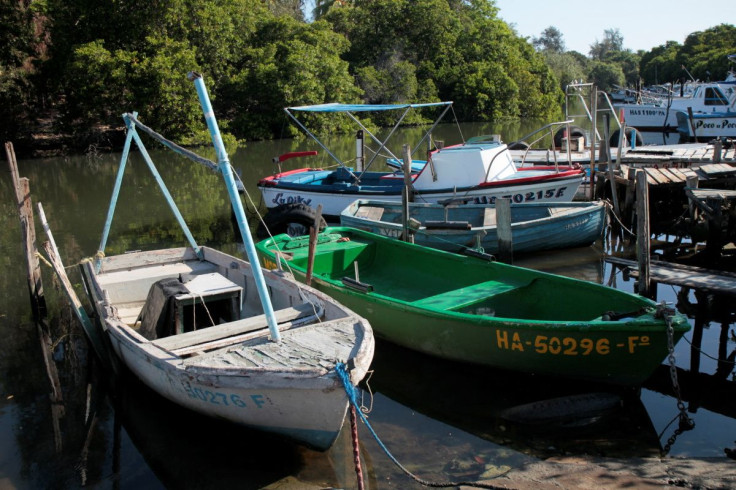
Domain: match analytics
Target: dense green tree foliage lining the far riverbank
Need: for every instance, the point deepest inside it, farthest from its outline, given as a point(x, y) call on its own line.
point(82, 63)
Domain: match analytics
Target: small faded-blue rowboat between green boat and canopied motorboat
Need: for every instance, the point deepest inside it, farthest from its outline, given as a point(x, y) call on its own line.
point(456, 227)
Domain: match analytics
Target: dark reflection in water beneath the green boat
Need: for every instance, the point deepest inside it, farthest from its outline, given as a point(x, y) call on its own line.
point(535, 415)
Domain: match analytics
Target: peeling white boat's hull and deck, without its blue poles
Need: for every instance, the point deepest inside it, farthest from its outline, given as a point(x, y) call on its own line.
point(242, 377)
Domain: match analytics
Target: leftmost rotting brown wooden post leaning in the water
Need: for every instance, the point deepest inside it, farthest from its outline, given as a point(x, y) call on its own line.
point(28, 234)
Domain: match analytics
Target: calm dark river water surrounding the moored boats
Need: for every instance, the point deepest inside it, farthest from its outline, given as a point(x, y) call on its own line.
point(441, 420)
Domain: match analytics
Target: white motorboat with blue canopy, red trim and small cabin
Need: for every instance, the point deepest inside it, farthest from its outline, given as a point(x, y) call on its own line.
point(481, 171)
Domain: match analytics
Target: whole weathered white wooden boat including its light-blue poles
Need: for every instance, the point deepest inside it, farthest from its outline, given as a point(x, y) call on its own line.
point(220, 336)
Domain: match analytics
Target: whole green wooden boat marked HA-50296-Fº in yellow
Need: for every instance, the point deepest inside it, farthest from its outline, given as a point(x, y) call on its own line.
point(466, 309)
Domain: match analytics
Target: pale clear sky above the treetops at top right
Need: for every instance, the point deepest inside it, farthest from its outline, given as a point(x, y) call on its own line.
point(642, 24)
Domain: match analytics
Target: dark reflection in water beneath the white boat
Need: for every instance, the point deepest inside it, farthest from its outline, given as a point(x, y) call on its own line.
point(184, 449)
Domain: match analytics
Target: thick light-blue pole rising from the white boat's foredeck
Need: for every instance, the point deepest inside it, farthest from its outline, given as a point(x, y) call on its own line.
point(223, 163)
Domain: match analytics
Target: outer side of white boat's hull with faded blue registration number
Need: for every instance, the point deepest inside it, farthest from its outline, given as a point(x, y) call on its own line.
point(241, 397)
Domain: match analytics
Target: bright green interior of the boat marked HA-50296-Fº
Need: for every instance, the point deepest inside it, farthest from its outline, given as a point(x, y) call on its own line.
point(456, 283)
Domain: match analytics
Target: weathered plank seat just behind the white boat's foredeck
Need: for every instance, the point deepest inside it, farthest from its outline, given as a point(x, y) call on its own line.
point(175, 343)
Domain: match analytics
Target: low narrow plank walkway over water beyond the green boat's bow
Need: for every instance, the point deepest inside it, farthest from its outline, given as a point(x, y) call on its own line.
point(682, 275)
